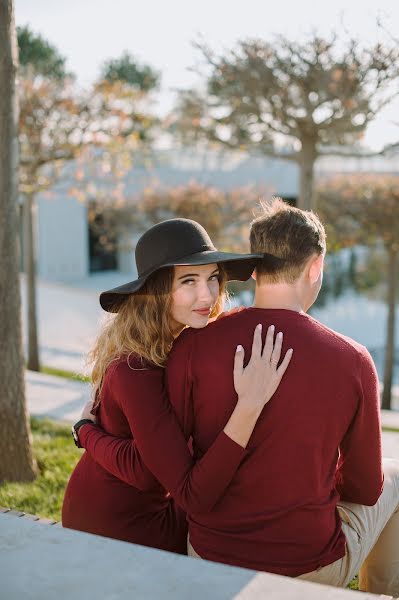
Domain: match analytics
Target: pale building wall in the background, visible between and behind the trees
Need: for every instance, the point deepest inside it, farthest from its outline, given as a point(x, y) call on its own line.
point(63, 237)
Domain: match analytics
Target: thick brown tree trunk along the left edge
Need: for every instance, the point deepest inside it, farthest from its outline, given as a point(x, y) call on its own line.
point(16, 461)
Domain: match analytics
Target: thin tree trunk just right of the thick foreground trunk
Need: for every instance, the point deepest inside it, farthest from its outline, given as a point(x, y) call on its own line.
point(30, 271)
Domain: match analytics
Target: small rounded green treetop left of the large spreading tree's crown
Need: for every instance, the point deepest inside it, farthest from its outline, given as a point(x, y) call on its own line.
point(128, 70)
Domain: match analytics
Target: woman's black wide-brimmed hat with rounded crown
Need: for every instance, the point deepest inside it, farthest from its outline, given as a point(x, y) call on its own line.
point(177, 242)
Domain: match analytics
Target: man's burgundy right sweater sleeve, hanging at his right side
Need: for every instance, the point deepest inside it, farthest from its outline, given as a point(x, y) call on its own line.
point(360, 475)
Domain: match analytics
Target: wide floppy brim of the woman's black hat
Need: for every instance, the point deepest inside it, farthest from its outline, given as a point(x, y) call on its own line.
point(238, 267)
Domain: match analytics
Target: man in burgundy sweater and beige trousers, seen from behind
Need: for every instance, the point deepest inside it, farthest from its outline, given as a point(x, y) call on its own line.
point(309, 499)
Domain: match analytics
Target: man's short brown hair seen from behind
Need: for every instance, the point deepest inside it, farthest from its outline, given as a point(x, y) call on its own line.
point(288, 233)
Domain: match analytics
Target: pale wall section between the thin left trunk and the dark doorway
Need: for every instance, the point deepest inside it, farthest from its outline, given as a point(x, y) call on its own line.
point(62, 238)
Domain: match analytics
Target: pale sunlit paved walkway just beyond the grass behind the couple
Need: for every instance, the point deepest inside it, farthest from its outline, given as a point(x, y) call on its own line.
point(63, 399)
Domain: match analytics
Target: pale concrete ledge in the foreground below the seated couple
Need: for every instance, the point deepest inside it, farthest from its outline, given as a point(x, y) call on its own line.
point(52, 562)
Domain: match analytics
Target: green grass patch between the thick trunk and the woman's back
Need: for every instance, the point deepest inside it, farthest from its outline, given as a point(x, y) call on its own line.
point(56, 456)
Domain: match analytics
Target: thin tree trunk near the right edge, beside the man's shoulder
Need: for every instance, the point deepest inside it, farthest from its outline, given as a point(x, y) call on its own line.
point(393, 274)
